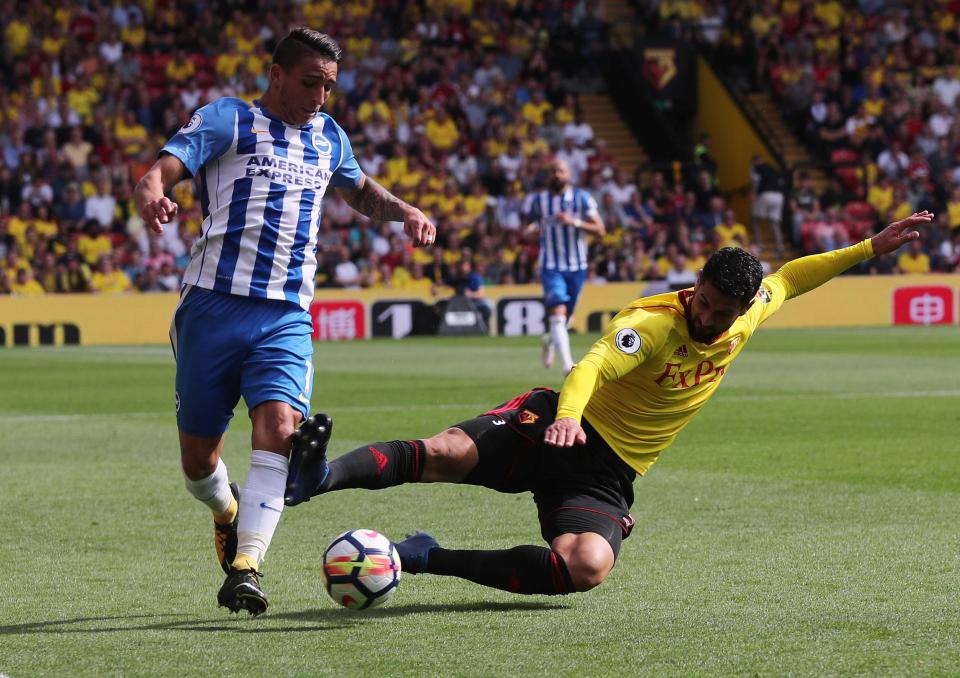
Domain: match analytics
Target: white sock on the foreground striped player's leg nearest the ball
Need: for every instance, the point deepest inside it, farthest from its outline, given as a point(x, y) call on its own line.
point(261, 503)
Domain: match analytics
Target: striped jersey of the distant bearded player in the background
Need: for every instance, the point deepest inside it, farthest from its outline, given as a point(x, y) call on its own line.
point(563, 247)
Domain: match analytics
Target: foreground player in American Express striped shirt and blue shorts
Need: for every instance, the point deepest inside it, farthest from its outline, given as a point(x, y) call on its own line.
point(242, 326)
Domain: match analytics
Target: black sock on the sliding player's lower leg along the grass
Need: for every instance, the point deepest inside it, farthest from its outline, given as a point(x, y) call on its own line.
point(522, 569)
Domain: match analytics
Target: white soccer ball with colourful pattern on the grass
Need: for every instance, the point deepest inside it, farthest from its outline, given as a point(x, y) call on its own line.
point(361, 569)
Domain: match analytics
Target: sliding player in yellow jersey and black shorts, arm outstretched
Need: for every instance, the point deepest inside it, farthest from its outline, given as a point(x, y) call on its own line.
point(579, 451)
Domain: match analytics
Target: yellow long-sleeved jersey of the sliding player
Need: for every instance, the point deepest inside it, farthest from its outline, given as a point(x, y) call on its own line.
point(646, 378)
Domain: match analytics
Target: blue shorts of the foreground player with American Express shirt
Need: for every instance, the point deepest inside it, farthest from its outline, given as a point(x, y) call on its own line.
point(226, 346)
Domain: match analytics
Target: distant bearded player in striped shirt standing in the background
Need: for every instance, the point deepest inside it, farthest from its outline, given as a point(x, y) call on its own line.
point(564, 215)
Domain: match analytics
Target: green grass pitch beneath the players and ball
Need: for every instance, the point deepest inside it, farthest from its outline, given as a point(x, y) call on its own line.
point(805, 523)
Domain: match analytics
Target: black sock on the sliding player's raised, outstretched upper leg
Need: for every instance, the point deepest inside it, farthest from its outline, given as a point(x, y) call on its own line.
point(373, 467)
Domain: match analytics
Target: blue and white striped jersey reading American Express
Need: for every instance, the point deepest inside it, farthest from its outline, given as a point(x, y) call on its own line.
point(261, 182)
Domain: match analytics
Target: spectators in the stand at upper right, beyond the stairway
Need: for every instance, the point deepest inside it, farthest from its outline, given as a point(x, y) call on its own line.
point(873, 88)
